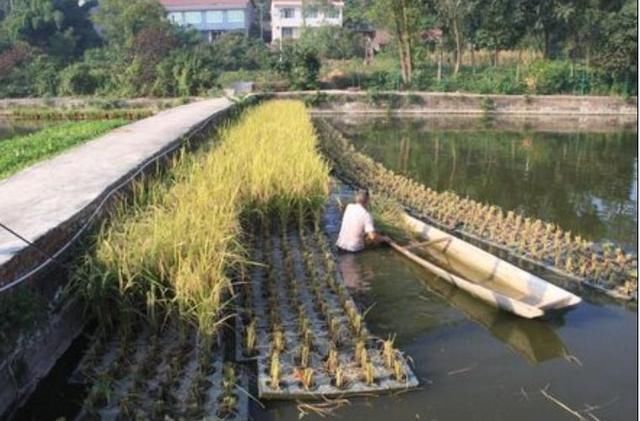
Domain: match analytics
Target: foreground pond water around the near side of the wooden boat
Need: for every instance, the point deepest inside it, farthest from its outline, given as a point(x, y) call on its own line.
point(478, 363)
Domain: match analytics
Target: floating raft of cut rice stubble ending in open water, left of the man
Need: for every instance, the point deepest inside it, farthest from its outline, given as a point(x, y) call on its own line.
point(301, 325)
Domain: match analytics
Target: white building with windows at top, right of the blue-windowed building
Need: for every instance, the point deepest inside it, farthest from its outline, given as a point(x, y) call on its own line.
point(289, 17)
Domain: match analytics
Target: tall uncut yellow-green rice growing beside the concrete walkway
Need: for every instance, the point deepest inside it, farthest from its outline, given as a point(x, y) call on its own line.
point(176, 249)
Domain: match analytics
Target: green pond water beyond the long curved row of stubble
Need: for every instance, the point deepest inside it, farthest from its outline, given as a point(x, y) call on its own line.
point(583, 180)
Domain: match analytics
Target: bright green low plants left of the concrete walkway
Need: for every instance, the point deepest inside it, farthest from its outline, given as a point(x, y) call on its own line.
point(19, 152)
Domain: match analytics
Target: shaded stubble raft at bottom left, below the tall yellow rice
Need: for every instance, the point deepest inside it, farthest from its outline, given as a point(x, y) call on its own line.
point(143, 375)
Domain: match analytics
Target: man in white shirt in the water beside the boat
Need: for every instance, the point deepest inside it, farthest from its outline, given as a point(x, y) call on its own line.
point(357, 225)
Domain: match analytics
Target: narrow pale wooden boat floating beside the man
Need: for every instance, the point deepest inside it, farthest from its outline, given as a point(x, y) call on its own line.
point(484, 275)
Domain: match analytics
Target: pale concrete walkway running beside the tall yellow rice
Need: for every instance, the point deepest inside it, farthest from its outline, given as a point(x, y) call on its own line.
point(41, 198)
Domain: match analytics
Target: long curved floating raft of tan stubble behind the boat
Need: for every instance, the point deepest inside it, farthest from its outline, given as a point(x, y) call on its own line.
point(608, 269)
